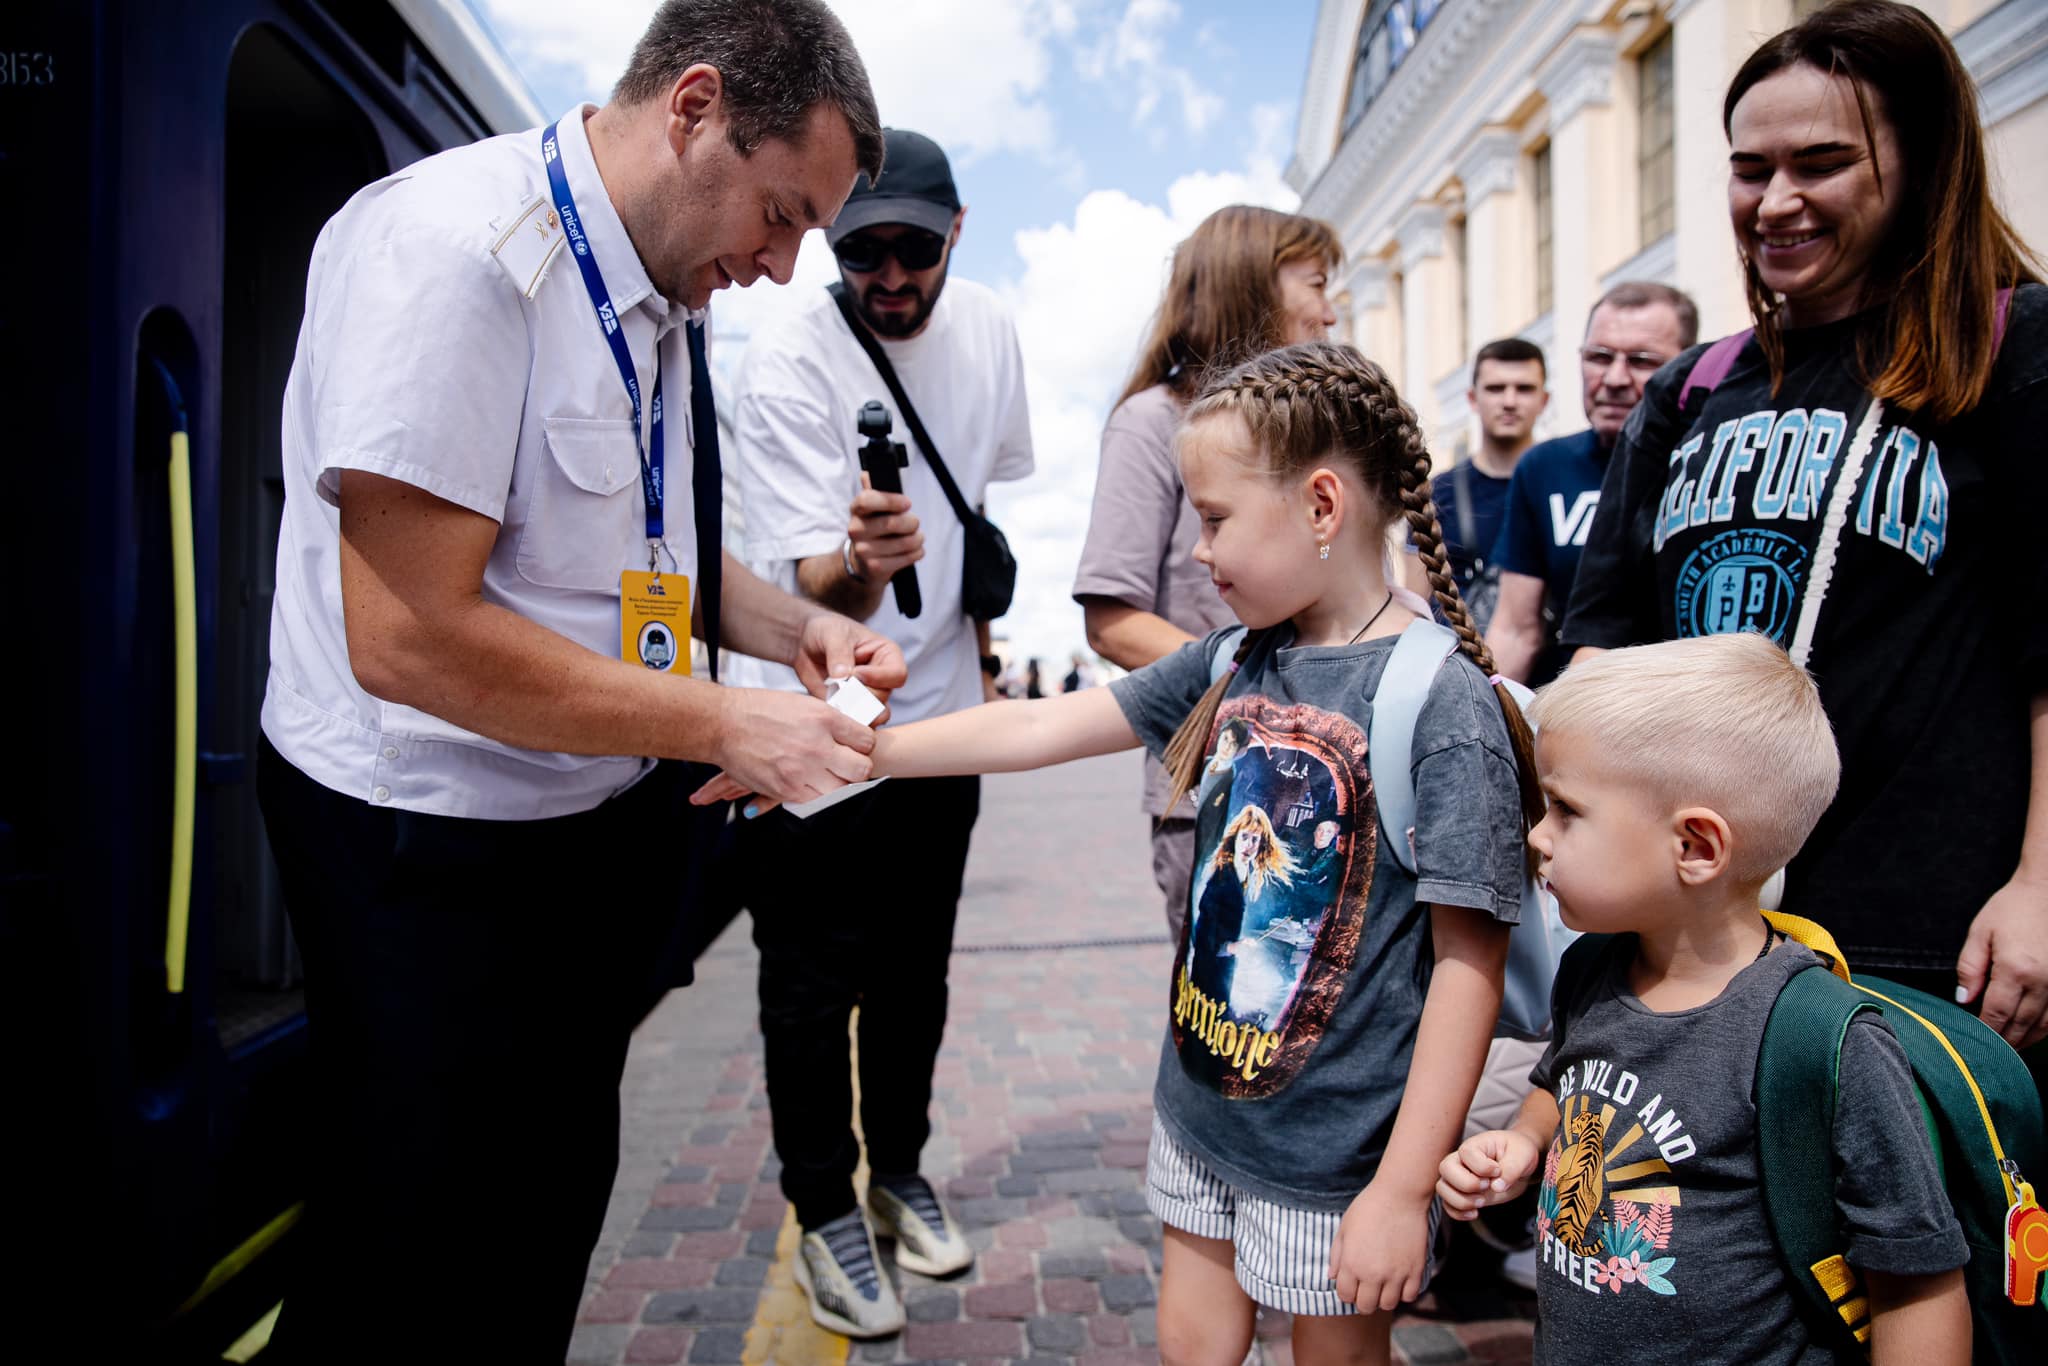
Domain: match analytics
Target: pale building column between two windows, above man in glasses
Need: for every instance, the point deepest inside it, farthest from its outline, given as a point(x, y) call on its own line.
point(1592, 175)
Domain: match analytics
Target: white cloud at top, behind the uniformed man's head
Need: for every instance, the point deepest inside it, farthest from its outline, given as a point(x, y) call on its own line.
point(976, 71)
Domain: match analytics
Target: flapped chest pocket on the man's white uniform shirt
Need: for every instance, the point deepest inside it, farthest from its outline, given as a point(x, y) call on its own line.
point(587, 519)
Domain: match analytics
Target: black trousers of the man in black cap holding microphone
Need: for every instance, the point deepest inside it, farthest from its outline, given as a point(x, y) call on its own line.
point(855, 908)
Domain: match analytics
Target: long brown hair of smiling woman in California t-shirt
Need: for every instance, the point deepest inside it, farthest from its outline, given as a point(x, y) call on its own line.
point(1951, 251)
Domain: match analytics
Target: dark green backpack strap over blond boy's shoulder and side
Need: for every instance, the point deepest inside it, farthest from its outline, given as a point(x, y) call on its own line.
point(1799, 1072)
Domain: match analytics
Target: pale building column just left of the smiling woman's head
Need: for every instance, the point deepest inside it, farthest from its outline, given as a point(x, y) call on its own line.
point(1709, 42)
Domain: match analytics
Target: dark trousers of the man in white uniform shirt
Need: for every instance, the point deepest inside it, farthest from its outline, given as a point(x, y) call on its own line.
point(470, 994)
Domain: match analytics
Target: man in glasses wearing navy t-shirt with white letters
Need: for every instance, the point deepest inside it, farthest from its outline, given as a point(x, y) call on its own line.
point(1633, 331)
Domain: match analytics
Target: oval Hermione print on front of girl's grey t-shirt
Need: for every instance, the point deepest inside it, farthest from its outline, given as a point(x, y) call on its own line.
point(1285, 845)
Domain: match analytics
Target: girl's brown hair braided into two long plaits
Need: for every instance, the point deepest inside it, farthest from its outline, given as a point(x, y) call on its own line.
point(1310, 407)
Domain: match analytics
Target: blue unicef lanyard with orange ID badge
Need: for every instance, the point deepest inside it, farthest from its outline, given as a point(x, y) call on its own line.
point(654, 620)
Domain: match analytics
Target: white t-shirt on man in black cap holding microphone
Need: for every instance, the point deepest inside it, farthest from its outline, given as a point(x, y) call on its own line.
point(798, 454)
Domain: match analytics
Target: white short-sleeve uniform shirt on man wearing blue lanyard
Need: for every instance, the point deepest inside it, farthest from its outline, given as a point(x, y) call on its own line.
point(423, 359)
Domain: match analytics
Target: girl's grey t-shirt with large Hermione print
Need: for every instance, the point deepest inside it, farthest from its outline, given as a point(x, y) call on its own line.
point(1302, 974)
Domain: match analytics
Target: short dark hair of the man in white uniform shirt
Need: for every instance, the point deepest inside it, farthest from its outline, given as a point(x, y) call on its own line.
point(777, 58)
